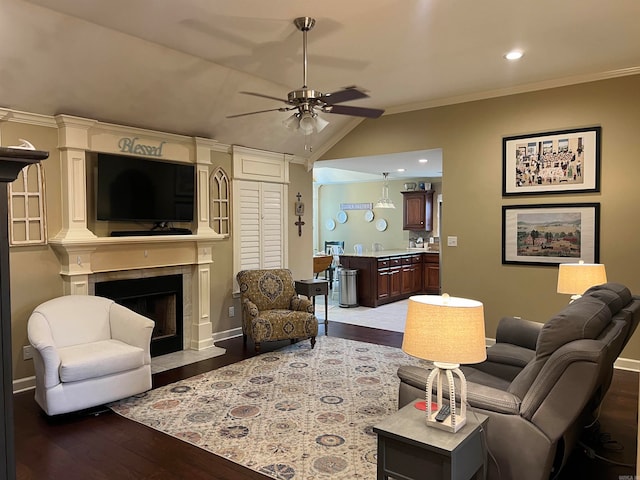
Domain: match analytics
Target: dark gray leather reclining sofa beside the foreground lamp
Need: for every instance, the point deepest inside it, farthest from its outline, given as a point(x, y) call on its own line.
point(542, 383)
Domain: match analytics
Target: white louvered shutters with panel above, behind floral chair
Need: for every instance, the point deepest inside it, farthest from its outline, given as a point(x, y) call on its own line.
point(260, 192)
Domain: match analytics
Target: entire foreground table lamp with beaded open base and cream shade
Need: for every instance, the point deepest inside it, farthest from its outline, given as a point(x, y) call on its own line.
point(449, 331)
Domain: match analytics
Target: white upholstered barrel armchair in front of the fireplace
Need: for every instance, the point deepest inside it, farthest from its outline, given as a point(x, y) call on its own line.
point(88, 351)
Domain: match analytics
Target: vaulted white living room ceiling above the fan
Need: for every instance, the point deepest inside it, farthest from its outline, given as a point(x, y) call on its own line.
point(177, 66)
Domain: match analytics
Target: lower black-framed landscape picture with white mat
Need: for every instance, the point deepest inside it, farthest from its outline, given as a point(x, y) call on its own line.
point(551, 234)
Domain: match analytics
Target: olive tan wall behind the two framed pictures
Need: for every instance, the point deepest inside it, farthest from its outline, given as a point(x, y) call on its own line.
point(470, 135)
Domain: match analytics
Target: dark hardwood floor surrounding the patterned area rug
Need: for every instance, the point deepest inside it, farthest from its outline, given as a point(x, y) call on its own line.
point(107, 446)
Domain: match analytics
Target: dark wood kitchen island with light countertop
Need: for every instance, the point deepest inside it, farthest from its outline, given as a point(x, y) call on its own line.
point(391, 275)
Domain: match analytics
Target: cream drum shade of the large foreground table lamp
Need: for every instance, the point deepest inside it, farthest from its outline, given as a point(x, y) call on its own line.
point(445, 329)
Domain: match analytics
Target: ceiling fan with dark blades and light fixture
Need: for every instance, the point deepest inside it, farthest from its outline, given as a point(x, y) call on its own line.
point(308, 102)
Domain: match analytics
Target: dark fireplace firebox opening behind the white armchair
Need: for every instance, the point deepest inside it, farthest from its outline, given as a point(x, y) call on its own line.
point(158, 298)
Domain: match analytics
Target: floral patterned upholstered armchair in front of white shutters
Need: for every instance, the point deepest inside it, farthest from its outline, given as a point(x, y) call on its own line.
point(271, 309)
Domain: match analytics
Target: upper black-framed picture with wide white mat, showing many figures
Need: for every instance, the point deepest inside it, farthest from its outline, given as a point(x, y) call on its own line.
point(562, 161)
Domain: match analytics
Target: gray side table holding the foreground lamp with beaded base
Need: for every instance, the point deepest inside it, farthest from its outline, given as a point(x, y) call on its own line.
point(408, 449)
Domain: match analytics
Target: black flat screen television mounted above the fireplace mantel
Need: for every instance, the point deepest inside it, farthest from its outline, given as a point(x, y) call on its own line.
point(141, 190)
